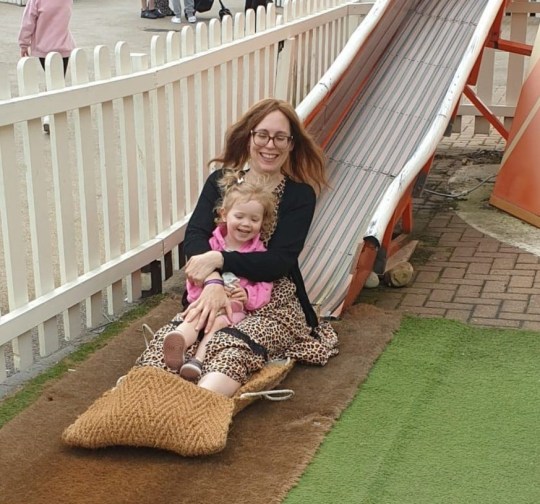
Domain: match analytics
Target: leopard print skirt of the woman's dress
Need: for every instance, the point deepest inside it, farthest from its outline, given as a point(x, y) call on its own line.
point(279, 328)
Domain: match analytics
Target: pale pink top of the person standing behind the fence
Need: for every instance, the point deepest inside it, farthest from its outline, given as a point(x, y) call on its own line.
point(45, 28)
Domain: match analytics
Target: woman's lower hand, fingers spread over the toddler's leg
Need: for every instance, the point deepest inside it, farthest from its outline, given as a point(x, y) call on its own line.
point(212, 302)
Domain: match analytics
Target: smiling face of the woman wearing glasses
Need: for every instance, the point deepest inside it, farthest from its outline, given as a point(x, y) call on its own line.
point(269, 159)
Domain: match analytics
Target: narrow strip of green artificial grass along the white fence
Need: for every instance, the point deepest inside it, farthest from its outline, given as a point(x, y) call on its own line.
point(30, 391)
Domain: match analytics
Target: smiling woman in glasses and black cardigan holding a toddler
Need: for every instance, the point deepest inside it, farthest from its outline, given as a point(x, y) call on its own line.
point(270, 141)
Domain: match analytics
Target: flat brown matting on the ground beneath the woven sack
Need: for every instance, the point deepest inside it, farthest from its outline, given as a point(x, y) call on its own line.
point(269, 444)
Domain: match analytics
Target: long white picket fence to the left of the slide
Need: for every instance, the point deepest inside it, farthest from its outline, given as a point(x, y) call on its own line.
point(84, 210)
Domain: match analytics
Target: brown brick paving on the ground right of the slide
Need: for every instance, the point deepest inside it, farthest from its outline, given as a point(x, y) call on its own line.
point(461, 273)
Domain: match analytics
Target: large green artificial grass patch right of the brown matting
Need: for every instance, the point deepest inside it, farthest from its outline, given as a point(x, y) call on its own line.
point(449, 414)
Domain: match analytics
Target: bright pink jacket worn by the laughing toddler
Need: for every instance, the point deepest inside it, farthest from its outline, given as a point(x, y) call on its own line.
point(258, 292)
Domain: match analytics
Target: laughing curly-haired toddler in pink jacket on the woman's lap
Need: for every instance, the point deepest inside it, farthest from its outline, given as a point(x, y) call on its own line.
point(246, 209)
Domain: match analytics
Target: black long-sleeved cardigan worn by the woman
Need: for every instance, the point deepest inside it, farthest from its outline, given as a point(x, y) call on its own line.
point(281, 259)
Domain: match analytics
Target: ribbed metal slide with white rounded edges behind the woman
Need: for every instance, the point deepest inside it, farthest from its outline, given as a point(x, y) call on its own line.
point(380, 112)
